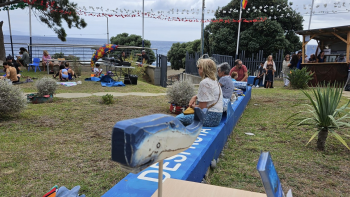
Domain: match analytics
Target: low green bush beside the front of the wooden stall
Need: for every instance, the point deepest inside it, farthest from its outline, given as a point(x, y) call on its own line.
point(299, 78)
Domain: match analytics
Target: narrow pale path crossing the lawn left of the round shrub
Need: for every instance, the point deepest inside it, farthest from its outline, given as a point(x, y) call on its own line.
point(82, 95)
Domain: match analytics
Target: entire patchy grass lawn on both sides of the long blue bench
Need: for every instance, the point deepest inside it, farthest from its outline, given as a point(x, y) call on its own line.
point(68, 143)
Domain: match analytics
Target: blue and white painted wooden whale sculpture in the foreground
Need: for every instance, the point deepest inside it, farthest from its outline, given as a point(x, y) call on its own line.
point(140, 142)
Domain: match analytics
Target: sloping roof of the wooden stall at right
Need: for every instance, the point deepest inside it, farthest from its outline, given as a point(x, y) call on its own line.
point(327, 33)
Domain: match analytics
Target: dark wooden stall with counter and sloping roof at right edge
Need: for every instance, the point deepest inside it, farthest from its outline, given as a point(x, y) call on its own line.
point(335, 40)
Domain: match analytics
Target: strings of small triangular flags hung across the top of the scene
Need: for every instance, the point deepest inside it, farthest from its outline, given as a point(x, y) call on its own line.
point(125, 13)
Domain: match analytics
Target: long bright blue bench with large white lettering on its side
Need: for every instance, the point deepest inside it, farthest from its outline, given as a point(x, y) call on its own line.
point(190, 165)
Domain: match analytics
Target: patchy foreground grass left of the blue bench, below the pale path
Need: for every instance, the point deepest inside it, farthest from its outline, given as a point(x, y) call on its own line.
point(66, 143)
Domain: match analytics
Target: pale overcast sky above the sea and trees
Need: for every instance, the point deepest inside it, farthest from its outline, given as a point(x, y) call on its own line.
point(160, 30)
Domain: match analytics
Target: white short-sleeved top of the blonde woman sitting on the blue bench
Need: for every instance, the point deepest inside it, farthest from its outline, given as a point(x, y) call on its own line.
point(209, 91)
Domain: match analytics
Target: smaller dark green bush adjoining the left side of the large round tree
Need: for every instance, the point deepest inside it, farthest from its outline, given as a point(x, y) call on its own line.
point(177, 54)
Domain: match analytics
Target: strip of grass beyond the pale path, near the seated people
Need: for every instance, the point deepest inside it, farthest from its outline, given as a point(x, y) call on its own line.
point(89, 86)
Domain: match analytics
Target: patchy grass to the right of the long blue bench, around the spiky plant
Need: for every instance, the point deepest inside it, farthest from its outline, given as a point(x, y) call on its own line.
point(304, 169)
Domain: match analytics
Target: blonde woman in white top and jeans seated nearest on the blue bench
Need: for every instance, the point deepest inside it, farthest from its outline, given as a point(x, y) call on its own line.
point(209, 95)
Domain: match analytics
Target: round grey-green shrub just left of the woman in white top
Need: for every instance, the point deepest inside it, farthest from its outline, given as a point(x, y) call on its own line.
point(180, 93)
